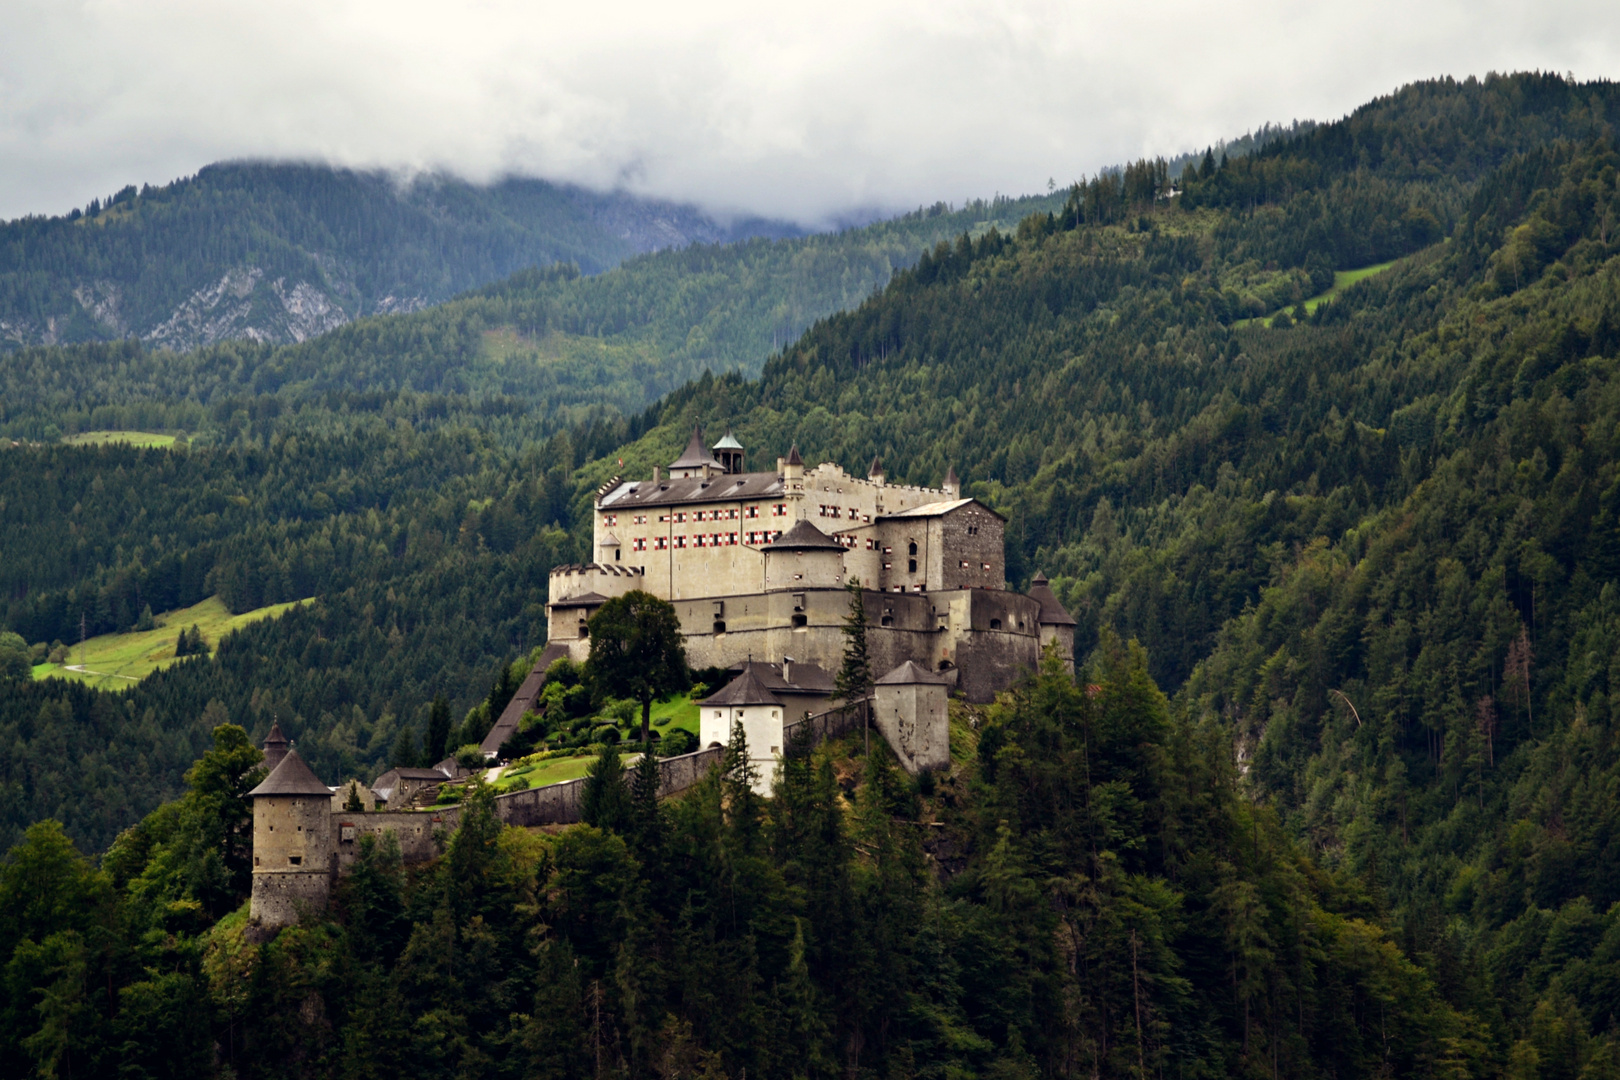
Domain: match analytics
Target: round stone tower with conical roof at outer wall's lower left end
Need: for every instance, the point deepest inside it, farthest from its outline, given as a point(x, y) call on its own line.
point(292, 843)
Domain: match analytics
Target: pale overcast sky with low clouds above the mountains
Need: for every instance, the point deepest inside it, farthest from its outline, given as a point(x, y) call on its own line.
point(791, 109)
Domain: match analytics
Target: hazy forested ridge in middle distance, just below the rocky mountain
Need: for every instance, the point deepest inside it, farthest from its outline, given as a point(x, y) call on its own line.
point(550, 344)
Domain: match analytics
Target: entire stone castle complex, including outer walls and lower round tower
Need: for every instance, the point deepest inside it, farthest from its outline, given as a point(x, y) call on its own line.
point(756, 566)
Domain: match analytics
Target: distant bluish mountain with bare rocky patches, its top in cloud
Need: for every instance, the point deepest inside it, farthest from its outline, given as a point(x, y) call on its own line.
point(283, 253)
